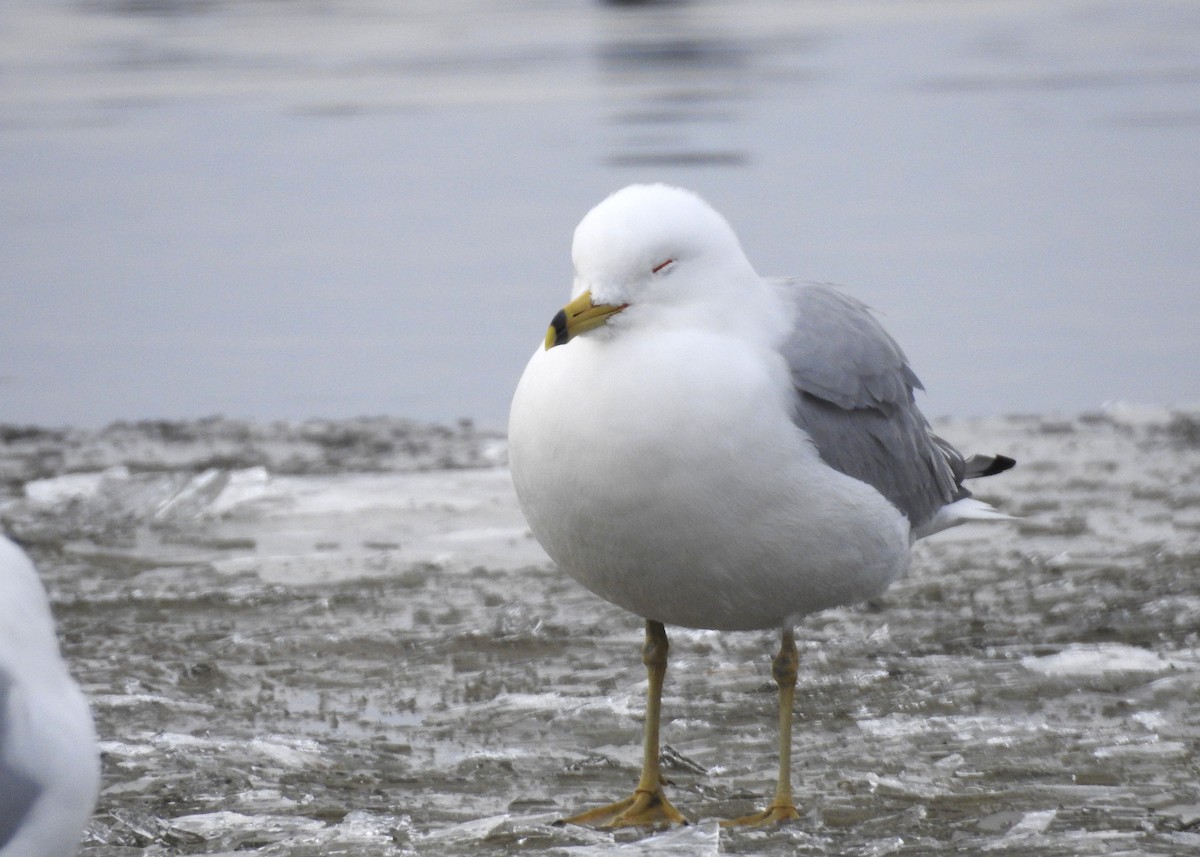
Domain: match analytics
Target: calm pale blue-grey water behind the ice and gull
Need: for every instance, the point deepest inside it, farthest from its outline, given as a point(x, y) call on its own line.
point(333, 208)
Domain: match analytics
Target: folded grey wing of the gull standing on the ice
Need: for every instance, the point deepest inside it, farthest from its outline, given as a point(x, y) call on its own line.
point(854, 398)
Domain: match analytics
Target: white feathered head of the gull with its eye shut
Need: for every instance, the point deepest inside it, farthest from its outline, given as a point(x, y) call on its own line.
point(633, 245)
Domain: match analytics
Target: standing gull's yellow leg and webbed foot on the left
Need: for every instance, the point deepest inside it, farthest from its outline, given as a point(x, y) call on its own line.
point(649, 805)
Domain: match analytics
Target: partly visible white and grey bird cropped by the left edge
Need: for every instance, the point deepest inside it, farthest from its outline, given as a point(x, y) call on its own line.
point(50, 764)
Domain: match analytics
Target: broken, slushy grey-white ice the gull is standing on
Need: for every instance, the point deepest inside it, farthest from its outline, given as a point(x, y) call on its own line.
point(292, 658)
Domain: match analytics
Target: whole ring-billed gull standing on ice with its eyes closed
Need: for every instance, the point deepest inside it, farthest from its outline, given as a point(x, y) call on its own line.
point(711, 450)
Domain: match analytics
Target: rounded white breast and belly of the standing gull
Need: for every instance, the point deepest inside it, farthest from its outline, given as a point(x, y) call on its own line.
point(685, 494)
